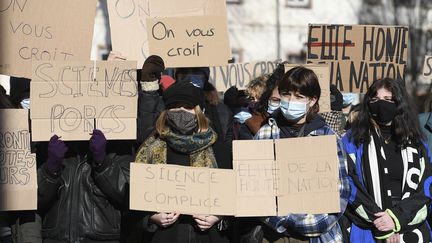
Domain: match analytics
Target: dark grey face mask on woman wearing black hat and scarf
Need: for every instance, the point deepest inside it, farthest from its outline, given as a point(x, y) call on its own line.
point(182, 121)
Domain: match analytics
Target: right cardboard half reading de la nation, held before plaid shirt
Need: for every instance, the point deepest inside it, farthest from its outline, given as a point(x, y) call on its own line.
point(305, 177)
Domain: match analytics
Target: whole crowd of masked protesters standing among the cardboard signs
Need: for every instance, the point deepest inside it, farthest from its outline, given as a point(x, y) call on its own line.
point(384, 162)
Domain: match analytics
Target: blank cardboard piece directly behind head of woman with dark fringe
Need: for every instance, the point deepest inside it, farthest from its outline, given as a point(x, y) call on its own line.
point(323, 73)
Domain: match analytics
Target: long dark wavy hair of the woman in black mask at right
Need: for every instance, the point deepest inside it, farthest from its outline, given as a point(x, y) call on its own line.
point(405, 126)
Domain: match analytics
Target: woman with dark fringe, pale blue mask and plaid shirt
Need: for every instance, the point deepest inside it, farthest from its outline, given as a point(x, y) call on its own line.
point(297, 117)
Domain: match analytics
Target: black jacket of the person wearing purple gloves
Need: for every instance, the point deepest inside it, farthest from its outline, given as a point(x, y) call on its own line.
point(82, 203)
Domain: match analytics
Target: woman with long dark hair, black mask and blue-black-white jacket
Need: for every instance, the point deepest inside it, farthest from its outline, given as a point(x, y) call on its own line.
point(389, 165)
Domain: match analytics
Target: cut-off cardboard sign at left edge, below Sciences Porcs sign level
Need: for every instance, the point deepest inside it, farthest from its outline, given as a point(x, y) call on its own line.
point(18, 180)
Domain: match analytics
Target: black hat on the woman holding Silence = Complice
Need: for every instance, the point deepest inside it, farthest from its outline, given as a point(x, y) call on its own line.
point(183, 93)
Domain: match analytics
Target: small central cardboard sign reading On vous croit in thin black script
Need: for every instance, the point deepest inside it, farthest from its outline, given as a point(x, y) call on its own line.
point(189, 41)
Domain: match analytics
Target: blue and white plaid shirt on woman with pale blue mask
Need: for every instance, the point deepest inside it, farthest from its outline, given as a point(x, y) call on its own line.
point(318, 227)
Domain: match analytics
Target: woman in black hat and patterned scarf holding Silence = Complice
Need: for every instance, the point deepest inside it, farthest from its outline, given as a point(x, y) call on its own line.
point(182, 136)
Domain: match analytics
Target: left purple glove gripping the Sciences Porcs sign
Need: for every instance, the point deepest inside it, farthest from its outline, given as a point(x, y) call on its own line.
point(56, 151)
